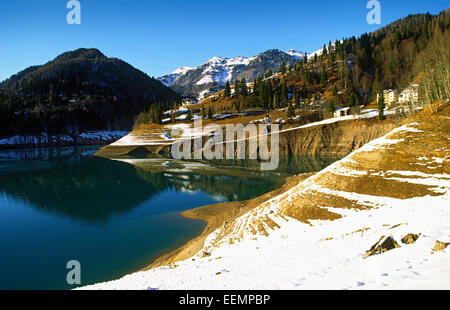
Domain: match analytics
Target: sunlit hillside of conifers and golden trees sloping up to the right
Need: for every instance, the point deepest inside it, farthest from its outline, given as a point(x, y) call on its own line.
point(352, 71)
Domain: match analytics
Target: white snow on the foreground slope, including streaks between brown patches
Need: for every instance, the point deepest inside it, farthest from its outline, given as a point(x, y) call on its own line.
point(325, 254)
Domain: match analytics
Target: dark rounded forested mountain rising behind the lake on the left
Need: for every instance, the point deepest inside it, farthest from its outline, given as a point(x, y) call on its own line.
point(78, 91)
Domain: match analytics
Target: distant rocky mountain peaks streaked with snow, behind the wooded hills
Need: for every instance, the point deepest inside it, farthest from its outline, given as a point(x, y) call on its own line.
point(213, 75)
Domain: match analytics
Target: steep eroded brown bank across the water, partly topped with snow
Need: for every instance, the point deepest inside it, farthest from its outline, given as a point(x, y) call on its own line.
point(332, 137)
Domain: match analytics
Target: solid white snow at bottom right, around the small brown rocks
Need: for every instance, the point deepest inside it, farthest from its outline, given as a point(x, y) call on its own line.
point(327, 255)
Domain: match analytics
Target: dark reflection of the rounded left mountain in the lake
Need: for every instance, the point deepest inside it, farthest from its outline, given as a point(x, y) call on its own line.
point(91, 190)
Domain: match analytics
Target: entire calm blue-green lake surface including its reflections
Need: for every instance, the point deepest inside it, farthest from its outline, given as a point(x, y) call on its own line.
point(113, 216)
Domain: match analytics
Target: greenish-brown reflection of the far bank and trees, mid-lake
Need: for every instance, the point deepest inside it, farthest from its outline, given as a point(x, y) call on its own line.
point(232, 179)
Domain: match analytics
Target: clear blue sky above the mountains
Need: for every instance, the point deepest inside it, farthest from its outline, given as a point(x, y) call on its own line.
point(159, 36)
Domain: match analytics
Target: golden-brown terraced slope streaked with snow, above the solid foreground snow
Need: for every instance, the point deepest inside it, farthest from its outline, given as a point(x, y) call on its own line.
point(403, 166)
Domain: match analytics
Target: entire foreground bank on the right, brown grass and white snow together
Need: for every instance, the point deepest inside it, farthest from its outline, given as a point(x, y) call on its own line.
point(379, 218)
